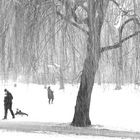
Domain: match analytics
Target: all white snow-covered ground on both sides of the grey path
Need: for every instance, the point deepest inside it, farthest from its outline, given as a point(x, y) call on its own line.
point(110, 109)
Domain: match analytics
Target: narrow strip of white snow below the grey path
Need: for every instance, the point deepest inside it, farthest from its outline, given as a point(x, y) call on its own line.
point(28, 136)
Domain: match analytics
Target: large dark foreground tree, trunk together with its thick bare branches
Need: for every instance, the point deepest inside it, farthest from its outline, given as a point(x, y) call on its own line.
point(91, 24)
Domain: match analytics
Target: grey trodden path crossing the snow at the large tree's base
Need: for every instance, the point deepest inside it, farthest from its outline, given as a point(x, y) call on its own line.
point(64, 129)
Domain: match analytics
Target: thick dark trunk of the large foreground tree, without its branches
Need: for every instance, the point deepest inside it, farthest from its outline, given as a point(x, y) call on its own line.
point(96, 17)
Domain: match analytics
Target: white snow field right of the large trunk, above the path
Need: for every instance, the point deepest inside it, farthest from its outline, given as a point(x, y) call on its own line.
point(116, 109)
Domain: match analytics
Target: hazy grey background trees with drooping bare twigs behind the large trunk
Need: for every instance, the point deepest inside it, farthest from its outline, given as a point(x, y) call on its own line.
point(38, 45)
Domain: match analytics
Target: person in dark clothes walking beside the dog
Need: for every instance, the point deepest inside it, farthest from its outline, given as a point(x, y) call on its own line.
point(8, 104)
